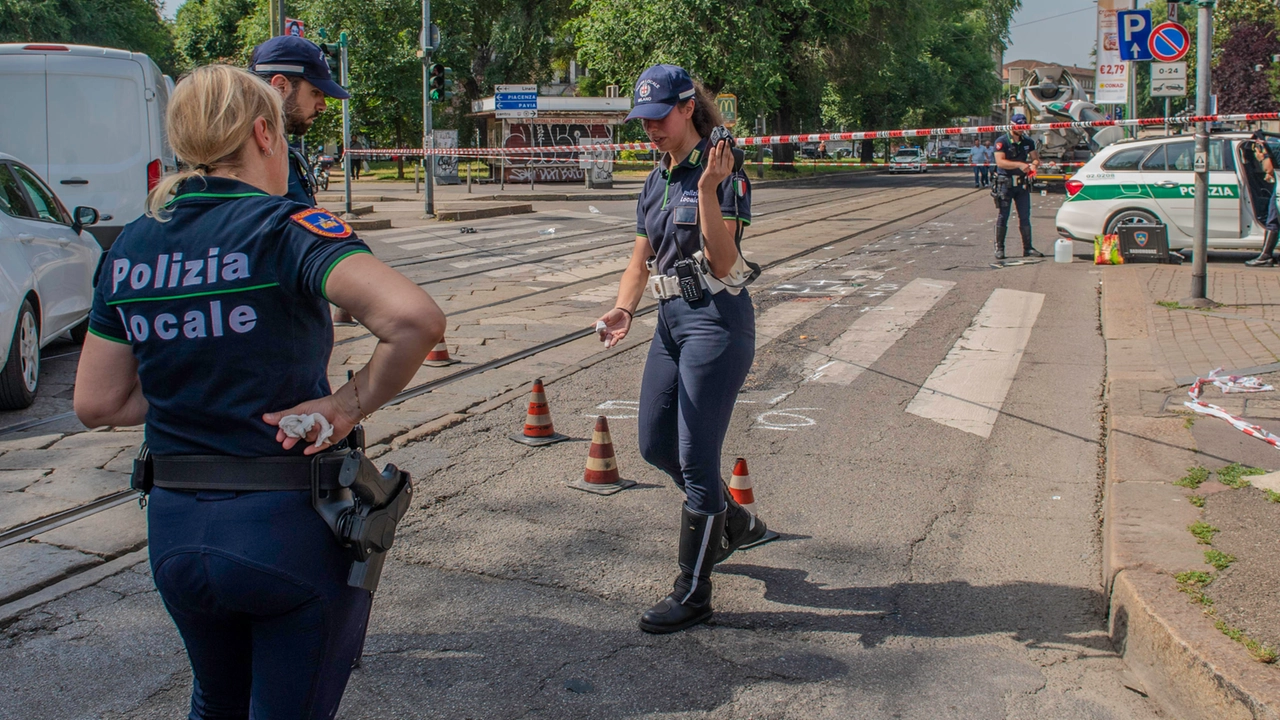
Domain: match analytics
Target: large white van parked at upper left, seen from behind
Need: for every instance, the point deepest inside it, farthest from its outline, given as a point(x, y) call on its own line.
point(90, 121)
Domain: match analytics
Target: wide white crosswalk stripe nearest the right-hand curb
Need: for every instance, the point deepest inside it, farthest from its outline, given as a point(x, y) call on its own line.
point(968, 389)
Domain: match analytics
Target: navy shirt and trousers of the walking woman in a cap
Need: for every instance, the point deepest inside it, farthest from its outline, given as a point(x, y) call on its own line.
point(702, 352)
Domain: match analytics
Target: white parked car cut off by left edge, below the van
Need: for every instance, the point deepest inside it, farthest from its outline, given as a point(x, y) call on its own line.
point(47, 277)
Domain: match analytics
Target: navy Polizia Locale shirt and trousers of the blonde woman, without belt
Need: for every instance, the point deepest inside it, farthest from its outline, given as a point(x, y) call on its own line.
point(226, 312)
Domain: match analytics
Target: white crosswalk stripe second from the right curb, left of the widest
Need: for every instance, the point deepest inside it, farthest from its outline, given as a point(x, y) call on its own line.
point(875, 332)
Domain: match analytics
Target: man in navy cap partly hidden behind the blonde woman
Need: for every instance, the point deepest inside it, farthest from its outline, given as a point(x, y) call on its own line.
point(298, 70)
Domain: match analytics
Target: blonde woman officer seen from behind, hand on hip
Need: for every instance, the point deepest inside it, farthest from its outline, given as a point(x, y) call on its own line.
point(211, 323)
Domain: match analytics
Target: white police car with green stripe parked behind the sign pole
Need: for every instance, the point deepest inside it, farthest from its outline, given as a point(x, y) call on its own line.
point(1153, 181)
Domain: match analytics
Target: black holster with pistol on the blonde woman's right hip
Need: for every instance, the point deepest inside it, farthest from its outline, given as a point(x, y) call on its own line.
point(364, 512)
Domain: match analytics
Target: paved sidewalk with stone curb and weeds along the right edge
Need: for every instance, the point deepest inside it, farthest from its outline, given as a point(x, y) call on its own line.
point(1155, 348)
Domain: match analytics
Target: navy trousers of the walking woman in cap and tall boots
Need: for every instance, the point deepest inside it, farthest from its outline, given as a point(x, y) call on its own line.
point(698, 362)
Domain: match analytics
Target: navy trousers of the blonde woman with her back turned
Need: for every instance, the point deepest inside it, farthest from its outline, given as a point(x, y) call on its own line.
point(258, 587)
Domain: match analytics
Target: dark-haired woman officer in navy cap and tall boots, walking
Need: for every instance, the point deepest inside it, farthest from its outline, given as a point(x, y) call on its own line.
point(688, 224)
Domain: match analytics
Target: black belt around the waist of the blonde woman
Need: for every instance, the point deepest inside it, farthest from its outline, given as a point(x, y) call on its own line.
point(246, 475)
